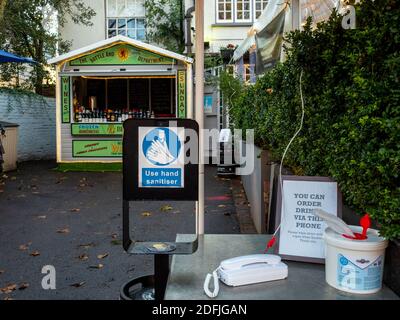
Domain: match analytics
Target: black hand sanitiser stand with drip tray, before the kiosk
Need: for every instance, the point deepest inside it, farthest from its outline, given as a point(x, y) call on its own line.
point(151, 287)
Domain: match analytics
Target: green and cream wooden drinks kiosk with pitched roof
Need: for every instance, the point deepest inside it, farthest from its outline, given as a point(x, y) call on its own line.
point(103, 84)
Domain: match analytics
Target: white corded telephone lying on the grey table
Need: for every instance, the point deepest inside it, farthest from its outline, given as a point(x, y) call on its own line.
point(246, 270)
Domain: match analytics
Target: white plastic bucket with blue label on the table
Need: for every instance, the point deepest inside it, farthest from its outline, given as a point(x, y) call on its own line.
point(354, 266)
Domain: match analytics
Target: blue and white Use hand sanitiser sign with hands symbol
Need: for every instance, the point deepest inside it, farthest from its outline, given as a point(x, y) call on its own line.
point(161, 157)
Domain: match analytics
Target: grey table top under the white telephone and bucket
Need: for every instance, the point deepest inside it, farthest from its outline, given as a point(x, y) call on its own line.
point(305, 280)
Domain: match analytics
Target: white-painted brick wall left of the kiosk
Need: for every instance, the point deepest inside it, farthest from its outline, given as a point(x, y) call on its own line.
point(37, 125)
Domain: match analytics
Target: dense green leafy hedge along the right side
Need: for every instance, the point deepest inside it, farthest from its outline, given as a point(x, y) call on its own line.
point(351, 90)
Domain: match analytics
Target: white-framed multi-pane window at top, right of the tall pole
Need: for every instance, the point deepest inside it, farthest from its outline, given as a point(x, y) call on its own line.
point(229, 11)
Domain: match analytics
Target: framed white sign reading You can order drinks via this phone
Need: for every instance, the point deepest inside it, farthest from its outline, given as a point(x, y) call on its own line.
point(301, 232)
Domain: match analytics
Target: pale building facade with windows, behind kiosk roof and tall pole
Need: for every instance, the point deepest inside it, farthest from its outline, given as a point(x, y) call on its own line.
point(226, 22)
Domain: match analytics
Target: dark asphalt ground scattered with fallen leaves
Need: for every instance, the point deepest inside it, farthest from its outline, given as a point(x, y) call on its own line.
point(73, 222)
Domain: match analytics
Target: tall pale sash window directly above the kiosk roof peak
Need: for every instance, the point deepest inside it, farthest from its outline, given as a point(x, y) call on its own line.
point(126, 17)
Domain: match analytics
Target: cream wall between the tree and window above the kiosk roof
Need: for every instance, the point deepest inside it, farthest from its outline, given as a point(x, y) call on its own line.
point(84, 35)
